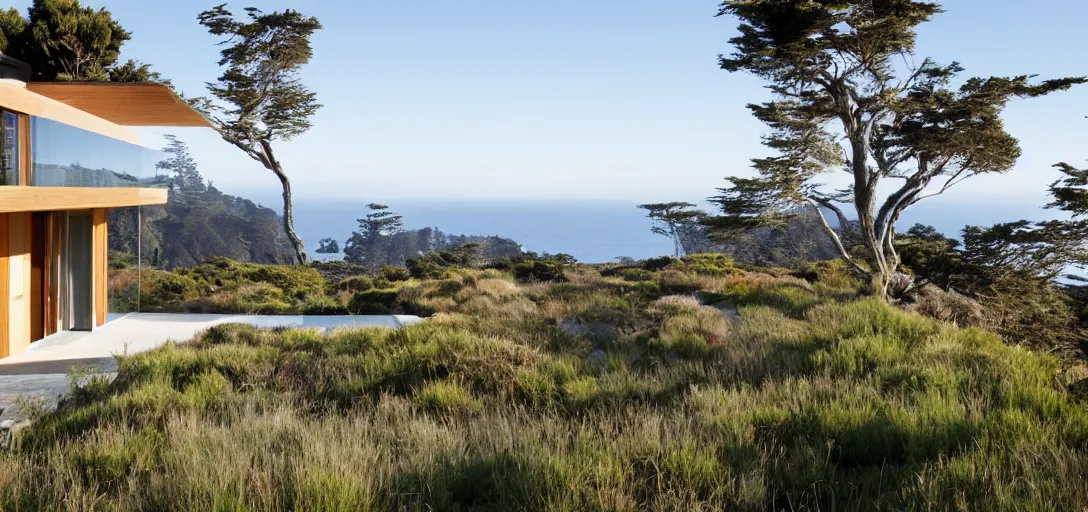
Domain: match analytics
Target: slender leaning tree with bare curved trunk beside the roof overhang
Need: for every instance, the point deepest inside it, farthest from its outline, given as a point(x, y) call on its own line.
point(259, 99)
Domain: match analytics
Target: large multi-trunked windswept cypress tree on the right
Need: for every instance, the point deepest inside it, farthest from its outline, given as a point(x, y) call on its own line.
point(844, 103)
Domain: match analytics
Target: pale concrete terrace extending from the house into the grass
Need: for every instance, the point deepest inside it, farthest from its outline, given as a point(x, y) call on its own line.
point(43, 370)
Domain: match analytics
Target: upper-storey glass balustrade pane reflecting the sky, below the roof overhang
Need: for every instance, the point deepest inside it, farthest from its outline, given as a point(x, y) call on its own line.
point(69, 157)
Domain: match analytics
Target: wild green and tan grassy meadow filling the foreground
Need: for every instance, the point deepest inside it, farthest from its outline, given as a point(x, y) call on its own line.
point(687, 386)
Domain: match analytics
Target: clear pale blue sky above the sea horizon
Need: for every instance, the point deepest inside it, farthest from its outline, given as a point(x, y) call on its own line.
point(575, 99)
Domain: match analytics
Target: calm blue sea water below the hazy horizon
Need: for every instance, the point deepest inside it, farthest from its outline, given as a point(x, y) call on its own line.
point(590, 231)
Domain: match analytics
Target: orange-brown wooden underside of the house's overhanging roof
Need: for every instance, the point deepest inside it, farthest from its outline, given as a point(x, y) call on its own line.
point(127, 105)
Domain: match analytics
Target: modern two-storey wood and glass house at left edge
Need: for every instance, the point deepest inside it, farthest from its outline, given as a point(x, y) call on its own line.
point(69, 155)
